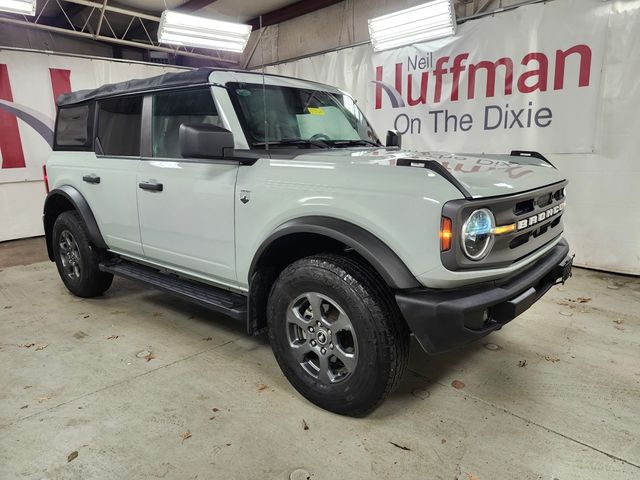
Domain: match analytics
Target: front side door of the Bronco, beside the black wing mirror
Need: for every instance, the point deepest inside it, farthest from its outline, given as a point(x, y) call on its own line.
point(185, 205)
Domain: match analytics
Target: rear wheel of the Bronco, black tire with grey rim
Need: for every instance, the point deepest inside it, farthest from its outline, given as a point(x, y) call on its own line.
point(77, 260)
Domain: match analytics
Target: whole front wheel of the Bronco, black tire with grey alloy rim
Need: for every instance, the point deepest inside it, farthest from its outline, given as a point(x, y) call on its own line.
point(337, 334)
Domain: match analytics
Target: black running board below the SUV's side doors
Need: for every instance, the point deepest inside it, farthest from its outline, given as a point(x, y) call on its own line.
point(223, 301)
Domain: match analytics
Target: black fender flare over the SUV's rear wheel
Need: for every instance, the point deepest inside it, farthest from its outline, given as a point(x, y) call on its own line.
point(80, 204)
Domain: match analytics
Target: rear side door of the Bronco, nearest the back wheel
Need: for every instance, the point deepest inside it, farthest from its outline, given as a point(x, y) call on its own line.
point(107, 178)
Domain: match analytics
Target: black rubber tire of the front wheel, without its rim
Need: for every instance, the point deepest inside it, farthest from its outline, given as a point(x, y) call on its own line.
point(382, 335)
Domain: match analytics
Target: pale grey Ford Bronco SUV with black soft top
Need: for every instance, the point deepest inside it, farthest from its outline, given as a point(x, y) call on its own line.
point(271, 200)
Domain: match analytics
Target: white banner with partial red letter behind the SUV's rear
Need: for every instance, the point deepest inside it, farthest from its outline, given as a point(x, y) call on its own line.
point(29, 82)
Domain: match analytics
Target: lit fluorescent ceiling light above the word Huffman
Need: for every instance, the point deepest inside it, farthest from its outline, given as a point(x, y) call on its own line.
point(429, 21)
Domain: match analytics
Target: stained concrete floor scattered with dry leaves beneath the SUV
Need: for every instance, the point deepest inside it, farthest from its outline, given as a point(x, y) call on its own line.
point(555, 395)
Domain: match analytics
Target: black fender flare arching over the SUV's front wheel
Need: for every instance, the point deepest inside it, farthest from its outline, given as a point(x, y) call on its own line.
point(382, 258)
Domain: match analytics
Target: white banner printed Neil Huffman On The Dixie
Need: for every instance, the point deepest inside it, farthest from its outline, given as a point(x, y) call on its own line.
point(524, 79)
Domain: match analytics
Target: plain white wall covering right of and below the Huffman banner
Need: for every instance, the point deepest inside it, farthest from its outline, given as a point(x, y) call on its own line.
point(603, 222)
